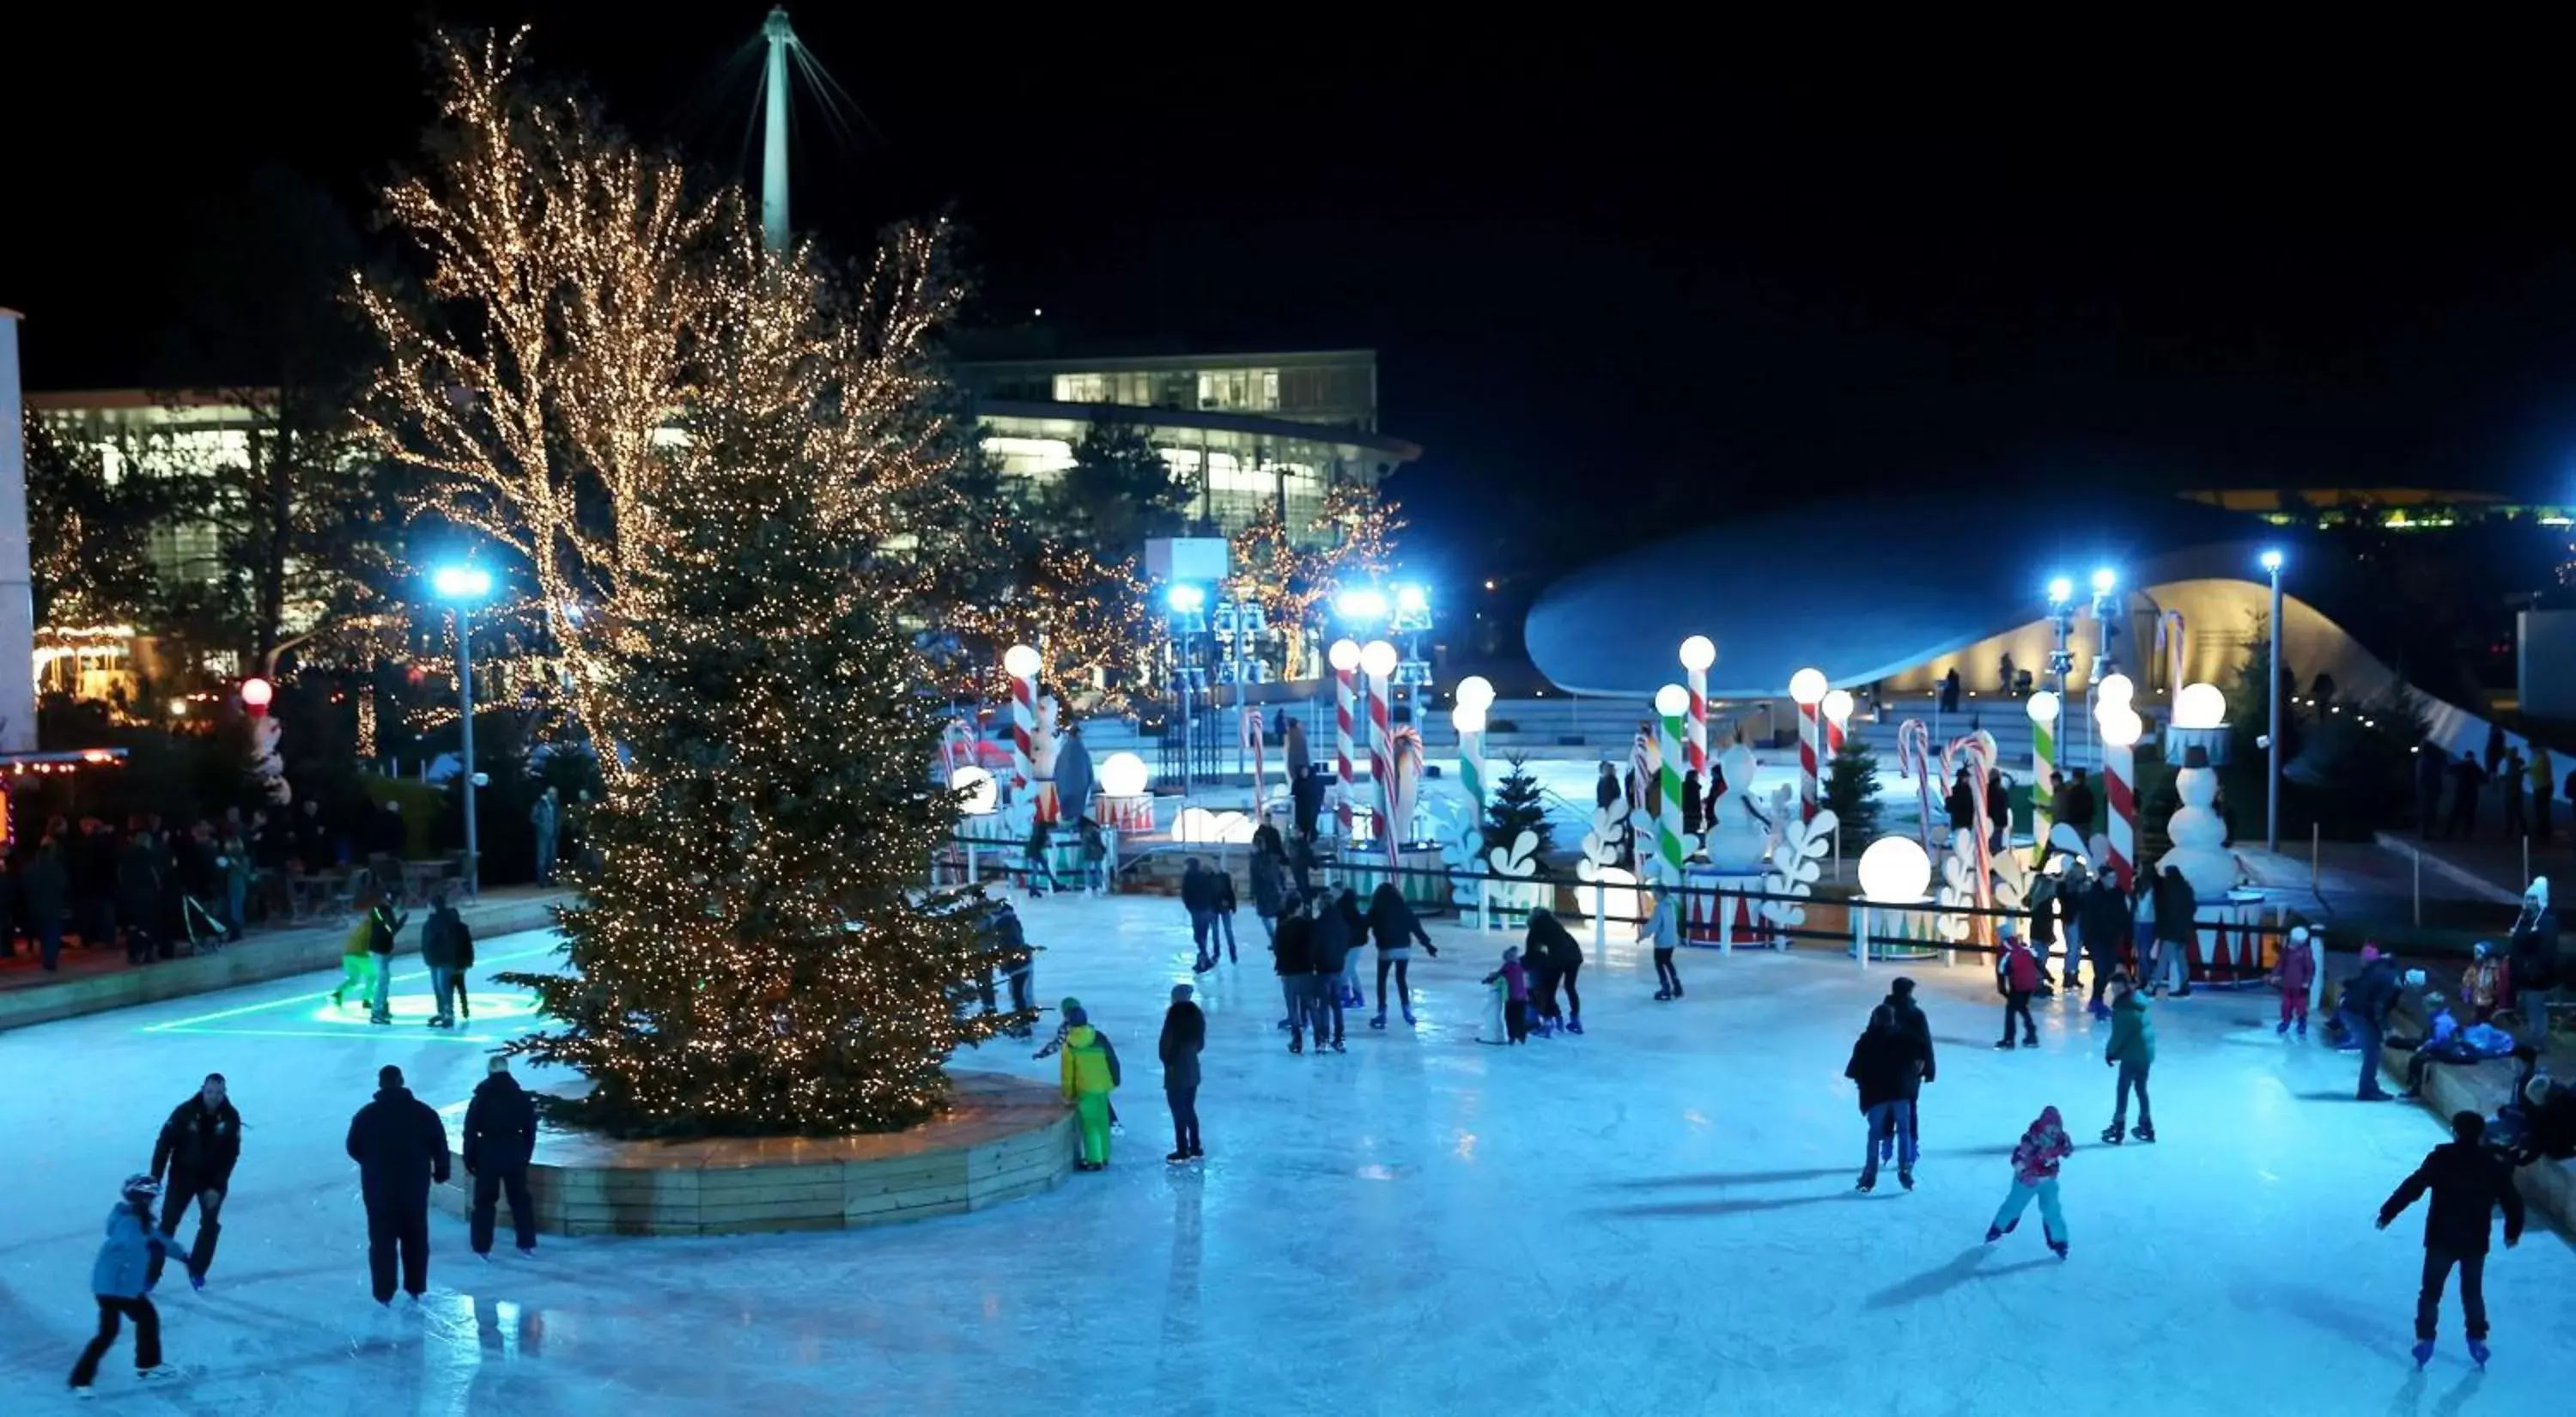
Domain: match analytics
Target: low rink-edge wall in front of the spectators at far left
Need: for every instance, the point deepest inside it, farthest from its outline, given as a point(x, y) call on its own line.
point(272, 955)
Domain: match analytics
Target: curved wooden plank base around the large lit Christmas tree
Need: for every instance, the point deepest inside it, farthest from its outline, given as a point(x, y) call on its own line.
point(1003, 1140)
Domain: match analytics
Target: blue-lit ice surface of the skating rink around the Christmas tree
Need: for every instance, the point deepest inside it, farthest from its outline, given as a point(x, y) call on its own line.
point(1650, 1220)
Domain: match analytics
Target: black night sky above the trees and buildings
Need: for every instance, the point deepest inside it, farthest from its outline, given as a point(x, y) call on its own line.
point(1614, 285)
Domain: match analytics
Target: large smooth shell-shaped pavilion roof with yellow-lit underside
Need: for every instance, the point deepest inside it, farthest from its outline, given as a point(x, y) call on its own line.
point(1897, 591)
